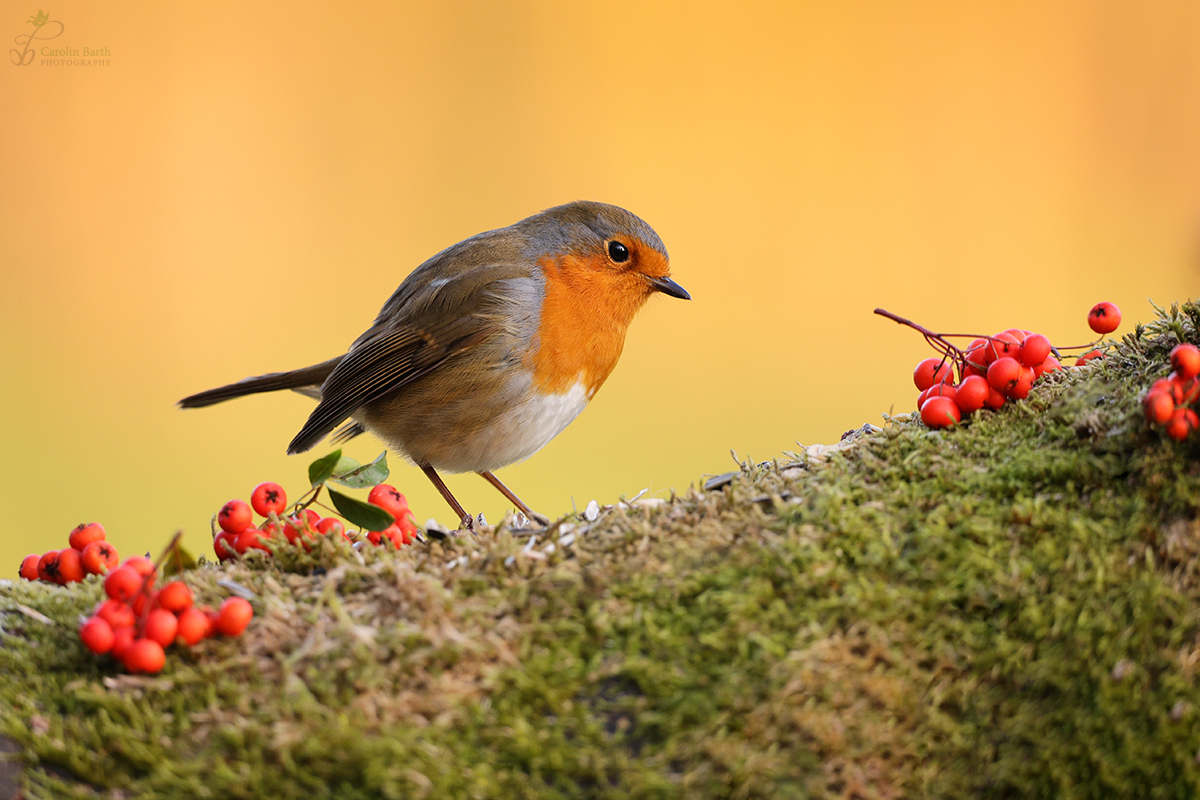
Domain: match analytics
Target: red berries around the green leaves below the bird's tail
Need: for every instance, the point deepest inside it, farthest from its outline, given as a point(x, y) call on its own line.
point(239, 533)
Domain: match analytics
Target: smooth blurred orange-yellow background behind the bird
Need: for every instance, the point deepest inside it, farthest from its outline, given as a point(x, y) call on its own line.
point(245, 184)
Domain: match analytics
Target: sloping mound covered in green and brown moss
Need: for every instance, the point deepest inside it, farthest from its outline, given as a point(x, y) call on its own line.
point(1006, 610)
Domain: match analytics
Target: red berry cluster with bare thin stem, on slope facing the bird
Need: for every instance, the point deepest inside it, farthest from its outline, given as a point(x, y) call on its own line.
point(992, 370)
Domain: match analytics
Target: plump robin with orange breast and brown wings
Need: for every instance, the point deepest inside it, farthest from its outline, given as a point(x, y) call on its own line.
point(489, 350)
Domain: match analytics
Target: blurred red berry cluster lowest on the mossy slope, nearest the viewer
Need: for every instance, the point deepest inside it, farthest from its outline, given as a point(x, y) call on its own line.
point(136, 624)
